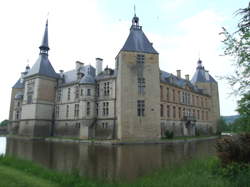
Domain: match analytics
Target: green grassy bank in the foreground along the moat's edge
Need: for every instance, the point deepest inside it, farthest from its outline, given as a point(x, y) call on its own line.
point(15, 172)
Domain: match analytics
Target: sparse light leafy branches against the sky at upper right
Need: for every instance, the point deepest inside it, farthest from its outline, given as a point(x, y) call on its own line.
point(237, 45)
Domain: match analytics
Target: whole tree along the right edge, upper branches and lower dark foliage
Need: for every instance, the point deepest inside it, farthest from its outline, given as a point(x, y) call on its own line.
point(237, 45)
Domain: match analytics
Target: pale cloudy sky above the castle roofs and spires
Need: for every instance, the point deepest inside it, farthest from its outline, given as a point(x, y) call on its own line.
point(181, 30)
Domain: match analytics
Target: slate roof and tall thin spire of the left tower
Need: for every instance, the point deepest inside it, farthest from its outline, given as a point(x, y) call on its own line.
point(43, 65)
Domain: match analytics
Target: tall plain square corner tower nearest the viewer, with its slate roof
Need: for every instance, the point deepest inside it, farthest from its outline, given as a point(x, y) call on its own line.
point(138, 87)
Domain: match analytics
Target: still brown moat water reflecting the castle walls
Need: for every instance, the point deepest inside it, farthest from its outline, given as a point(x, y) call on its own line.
point(125, 162)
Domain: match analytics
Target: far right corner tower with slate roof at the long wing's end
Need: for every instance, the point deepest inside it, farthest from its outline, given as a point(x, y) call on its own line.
point(202, 79)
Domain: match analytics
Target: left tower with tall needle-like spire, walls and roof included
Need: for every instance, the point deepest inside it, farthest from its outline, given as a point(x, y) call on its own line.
point(39, 95)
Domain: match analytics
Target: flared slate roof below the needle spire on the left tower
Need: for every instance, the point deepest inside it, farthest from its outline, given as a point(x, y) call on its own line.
point(43, 67)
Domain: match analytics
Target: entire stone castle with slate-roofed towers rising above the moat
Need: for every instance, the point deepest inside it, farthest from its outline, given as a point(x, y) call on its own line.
point(134, 100)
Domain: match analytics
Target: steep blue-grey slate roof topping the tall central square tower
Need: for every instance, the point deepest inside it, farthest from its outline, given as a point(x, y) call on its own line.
point(137, 41)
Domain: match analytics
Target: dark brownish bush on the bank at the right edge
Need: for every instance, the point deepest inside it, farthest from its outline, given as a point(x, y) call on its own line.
point(234, 149)
